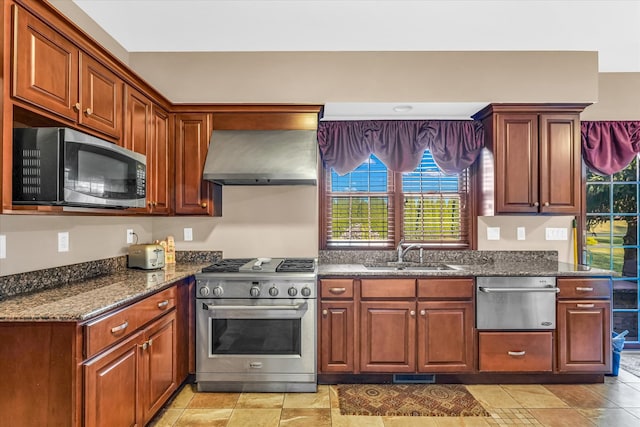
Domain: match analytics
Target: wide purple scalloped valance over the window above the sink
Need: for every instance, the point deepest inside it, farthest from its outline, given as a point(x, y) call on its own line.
point(455, 145)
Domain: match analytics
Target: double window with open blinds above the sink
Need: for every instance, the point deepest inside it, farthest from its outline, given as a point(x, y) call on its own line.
point(374, 207)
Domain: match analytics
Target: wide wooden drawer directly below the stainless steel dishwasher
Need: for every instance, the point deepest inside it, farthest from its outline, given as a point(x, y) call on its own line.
point(515, 351)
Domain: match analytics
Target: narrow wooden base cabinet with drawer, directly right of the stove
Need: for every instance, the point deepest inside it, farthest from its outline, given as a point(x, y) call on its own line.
point(337, 325)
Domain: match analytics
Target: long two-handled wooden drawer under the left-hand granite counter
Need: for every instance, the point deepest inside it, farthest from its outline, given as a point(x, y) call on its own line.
point(111, 328)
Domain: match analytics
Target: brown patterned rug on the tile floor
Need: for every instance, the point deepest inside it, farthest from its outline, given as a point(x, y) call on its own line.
point(427, 400)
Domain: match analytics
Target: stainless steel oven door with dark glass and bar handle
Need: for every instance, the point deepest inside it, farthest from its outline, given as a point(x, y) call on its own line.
point(256, 336)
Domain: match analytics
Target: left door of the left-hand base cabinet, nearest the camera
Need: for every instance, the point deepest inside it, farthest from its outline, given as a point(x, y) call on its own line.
point(111, 386)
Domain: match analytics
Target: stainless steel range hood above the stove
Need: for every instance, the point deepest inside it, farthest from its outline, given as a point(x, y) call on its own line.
point(261, 157)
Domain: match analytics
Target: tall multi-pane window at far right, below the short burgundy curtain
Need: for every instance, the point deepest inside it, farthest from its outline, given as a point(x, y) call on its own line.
point(612, 240)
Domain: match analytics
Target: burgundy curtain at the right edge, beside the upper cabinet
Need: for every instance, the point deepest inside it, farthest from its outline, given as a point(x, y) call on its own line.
point(609, 146)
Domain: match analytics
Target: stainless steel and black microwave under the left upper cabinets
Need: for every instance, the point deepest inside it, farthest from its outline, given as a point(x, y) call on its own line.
point(65, 167)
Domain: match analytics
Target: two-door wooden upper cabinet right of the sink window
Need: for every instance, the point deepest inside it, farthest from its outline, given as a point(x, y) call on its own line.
point(536, 158)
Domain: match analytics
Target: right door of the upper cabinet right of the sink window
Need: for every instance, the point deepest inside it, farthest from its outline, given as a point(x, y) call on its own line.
point(560, 164)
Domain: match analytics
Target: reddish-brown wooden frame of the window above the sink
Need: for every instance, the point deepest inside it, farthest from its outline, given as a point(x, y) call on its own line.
point(395, 192)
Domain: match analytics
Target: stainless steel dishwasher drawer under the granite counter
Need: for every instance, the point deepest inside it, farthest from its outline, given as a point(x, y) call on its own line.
point(516, 303)
